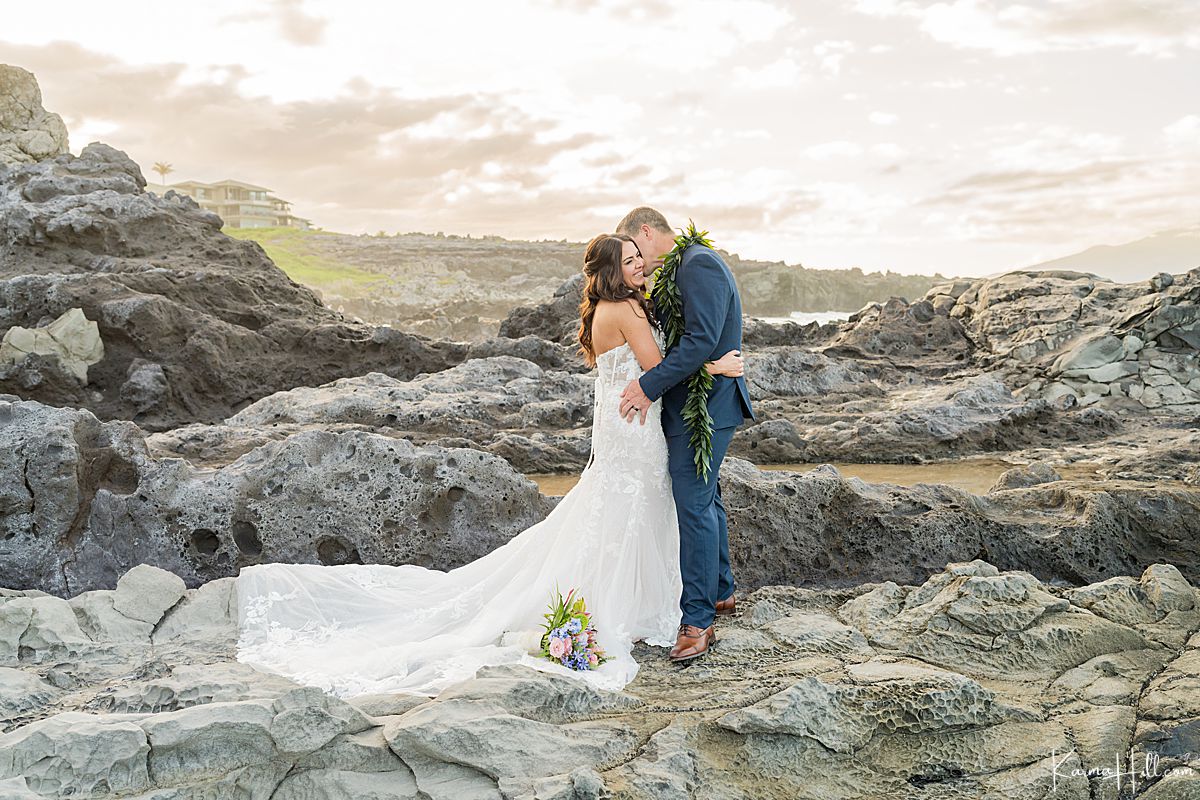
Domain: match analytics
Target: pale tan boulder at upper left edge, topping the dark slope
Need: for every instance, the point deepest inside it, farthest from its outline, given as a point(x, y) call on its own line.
point(28, 133)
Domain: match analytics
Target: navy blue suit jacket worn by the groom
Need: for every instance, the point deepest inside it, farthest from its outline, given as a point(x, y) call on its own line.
point(712, 316)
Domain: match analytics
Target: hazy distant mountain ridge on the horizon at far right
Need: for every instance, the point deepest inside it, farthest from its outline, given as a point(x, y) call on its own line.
point(1168, 251)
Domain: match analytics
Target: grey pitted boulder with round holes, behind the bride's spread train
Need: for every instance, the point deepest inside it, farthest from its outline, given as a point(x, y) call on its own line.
point(83, 501)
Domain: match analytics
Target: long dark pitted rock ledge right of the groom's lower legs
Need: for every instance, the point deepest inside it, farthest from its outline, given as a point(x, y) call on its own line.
point(819, 528)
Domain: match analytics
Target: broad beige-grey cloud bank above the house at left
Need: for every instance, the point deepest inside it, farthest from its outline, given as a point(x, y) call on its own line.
point(365, 160)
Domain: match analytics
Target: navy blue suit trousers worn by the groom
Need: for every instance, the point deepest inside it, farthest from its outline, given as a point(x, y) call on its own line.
point(704, 531)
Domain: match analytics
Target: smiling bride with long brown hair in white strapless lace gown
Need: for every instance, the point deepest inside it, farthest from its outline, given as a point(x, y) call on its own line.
point(375, 629)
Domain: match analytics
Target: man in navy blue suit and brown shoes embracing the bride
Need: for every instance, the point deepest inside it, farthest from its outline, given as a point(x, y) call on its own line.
point(712, 314)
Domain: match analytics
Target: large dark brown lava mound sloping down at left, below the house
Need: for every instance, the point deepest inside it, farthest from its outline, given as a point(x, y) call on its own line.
point(195, 326)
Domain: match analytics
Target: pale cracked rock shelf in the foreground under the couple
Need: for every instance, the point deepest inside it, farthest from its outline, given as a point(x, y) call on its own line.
point(974, 683)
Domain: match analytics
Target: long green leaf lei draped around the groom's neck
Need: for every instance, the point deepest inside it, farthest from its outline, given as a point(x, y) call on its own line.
point(669, 309)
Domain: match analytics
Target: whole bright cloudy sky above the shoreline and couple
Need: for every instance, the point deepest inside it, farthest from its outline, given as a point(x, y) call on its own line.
point(964, 137)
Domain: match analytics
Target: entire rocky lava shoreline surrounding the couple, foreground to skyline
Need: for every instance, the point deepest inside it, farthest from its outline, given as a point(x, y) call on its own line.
point(175, 408)
